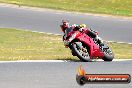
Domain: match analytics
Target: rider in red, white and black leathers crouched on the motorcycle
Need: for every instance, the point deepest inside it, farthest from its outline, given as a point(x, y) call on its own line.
point(93, 34)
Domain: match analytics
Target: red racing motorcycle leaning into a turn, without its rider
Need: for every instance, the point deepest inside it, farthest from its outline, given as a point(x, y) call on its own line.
point(87, 48)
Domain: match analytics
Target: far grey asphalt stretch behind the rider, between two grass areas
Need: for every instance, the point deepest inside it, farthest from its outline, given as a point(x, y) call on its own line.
point(110, 28)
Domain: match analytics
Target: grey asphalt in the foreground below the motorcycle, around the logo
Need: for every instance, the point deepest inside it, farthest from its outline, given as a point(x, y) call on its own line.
point(58, 75)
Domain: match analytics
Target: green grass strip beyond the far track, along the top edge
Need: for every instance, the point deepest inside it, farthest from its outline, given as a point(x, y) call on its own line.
point(114, 7)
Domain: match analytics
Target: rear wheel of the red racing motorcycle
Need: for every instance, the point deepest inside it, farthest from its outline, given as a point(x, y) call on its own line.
point(108, 54)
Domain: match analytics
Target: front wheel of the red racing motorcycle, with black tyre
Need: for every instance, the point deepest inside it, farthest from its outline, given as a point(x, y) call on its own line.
point(80, 51)
